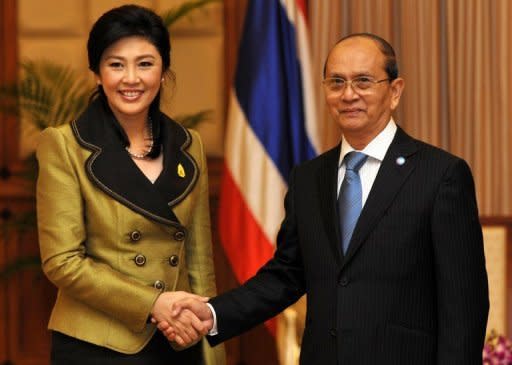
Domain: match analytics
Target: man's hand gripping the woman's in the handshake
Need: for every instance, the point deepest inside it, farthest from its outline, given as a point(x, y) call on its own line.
point(191, 306)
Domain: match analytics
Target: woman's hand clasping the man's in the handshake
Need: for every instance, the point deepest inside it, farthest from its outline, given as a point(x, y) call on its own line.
point(186, 328)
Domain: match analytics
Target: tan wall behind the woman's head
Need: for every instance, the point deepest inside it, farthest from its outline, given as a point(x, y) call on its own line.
point(57, 30)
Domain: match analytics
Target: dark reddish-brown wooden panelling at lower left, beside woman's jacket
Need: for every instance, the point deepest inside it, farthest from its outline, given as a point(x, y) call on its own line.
point(27, 296)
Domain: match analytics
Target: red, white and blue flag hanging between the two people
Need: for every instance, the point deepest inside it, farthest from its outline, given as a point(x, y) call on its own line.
point(271, 128)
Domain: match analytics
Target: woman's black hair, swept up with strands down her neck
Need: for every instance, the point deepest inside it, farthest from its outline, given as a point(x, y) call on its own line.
point(128, 21)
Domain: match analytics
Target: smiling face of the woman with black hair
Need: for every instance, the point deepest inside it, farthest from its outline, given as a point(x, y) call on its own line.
point(131, 74)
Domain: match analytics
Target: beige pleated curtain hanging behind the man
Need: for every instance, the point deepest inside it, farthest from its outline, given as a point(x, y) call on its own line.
point(455, 56)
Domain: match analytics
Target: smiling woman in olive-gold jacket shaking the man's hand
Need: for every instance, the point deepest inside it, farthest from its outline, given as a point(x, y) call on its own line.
point(122, 204)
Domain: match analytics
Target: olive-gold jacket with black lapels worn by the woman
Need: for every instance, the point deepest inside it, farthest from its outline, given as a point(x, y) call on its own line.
point(111, 240)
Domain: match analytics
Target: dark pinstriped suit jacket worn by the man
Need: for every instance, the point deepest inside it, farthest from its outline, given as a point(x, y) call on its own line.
point(412, 288)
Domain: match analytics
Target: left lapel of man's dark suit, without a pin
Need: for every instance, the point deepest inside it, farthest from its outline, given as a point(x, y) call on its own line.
point(327, 185)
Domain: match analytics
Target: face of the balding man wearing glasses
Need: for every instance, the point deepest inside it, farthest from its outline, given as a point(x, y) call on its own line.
point(362, 114)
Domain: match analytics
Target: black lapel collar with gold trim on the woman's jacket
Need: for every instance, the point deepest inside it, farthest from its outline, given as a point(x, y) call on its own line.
point(113, 171)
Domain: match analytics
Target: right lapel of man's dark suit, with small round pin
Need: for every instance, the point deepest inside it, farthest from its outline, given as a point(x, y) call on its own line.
point(388, 182)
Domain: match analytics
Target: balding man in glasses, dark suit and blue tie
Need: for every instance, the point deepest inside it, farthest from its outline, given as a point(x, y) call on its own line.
point(401, 282)
